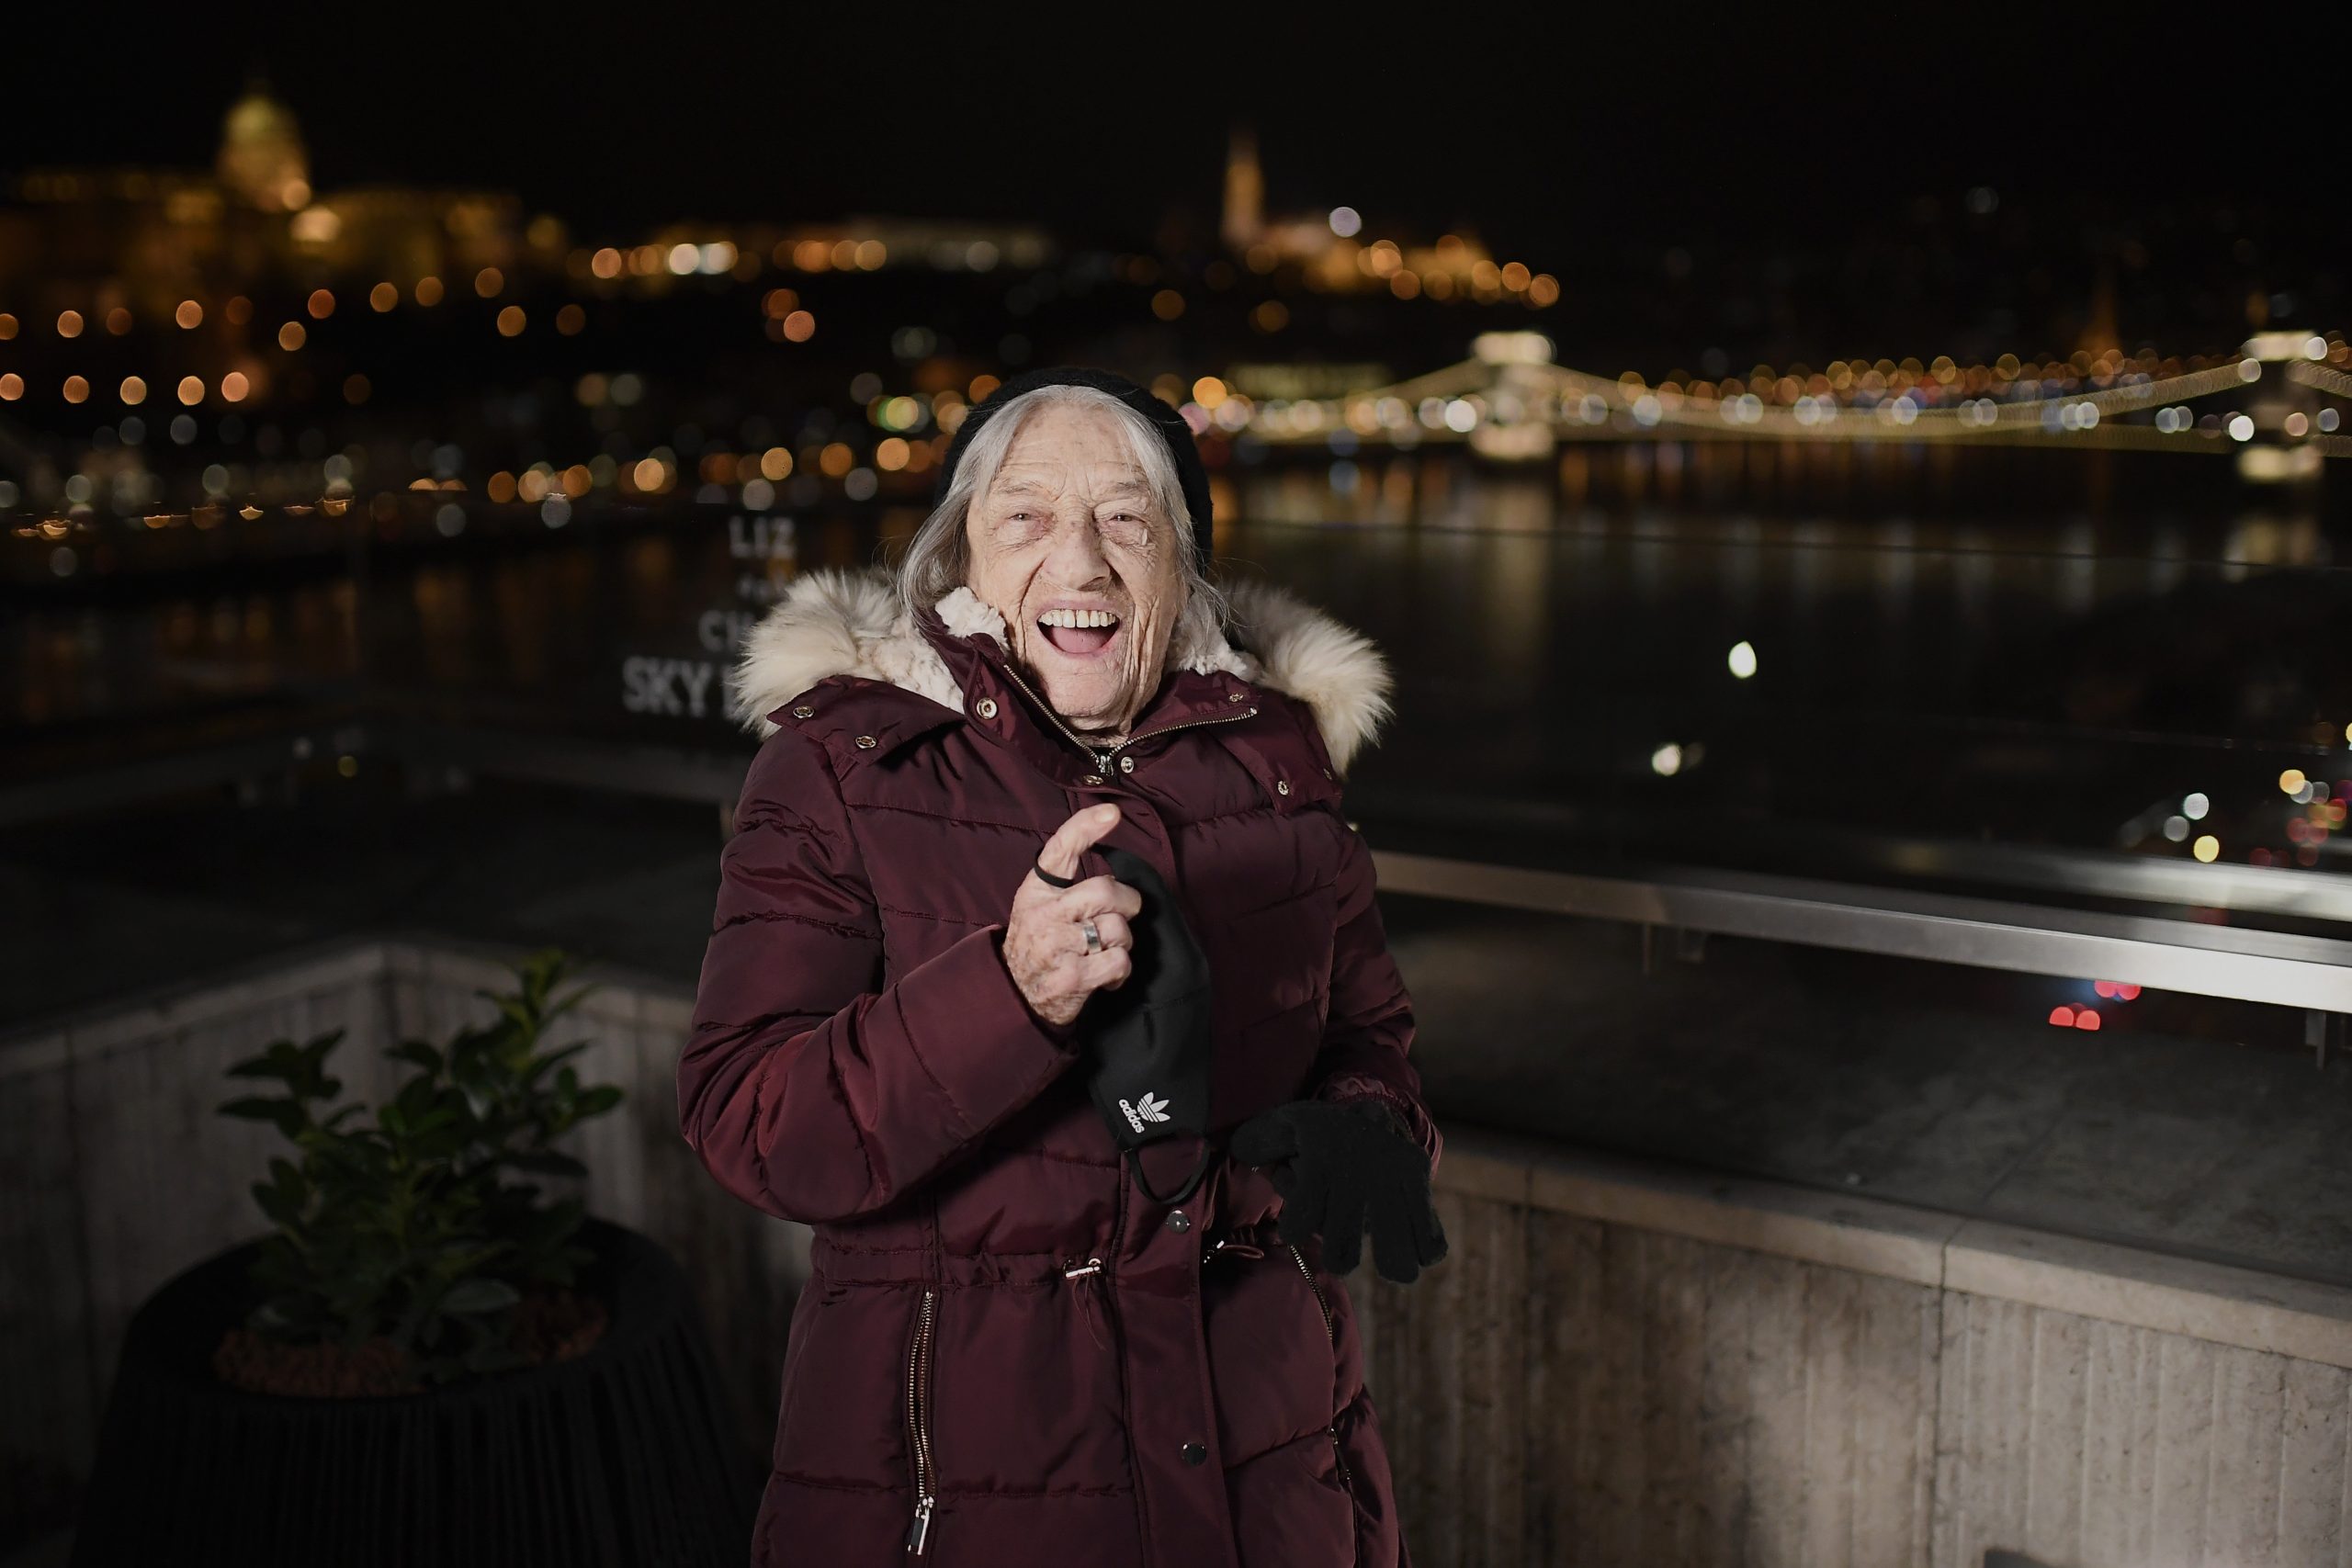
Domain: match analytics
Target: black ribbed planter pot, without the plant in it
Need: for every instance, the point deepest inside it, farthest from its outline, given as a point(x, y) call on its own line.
point(617, 1459)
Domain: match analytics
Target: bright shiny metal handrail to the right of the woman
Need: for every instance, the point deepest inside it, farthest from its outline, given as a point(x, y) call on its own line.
point(2179, 956)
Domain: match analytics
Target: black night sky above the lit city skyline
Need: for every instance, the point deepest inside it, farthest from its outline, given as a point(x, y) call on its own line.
point(1777, 130)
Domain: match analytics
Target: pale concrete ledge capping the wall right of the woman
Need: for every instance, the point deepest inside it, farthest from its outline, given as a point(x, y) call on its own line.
point(2094, 1280)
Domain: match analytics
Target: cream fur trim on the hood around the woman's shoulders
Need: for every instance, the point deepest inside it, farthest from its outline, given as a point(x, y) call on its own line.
point(838, 622)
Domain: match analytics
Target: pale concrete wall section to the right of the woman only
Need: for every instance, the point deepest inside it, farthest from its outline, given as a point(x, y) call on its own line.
point(1629, 1365)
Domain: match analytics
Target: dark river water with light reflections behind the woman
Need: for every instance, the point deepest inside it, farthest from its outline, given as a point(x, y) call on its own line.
point(1982, 655)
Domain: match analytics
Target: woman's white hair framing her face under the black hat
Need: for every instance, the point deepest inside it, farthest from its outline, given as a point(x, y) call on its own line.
point(940, 558)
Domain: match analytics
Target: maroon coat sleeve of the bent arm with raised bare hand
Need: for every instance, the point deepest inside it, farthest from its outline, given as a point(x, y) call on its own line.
point(808, 1087)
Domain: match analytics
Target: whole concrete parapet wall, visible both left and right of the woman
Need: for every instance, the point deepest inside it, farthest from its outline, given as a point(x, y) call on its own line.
point(1617, 1365)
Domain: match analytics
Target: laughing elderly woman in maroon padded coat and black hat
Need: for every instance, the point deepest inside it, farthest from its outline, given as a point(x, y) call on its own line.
point(1017, 1348)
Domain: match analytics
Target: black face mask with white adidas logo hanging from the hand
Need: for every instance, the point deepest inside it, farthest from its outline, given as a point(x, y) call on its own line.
point(1151, 1038)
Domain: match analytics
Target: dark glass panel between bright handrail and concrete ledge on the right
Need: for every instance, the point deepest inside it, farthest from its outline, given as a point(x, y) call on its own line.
point(2177, 1123)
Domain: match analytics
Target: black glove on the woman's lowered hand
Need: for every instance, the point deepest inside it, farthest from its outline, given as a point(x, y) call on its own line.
point(1349, 1165)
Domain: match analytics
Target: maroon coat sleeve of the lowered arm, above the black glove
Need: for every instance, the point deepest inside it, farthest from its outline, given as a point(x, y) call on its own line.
point(1370, 1026)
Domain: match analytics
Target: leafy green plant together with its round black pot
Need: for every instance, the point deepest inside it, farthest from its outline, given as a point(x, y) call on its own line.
point(429, 1358)
